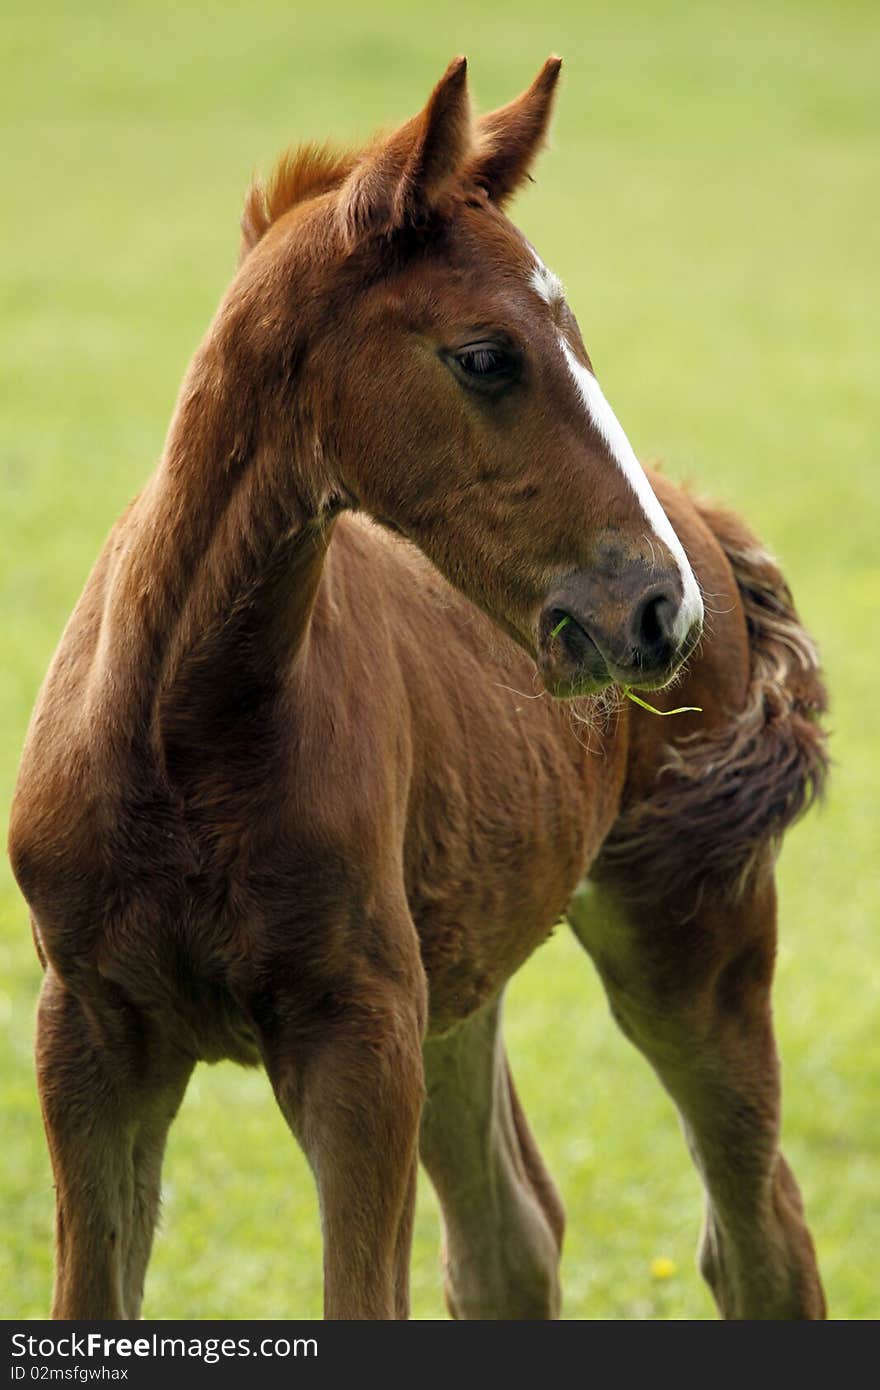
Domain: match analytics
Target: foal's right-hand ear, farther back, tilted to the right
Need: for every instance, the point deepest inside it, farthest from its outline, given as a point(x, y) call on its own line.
point(510, 140)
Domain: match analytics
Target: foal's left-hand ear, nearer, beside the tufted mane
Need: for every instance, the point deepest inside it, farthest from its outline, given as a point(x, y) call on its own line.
point(402, 179)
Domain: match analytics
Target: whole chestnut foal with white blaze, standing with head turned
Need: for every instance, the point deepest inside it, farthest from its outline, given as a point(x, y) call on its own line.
point(283, 803)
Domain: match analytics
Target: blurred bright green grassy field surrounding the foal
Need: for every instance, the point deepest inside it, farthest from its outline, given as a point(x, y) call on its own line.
point(711, 202)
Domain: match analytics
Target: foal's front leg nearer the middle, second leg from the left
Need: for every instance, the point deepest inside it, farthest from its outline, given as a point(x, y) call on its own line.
point(351, 1088)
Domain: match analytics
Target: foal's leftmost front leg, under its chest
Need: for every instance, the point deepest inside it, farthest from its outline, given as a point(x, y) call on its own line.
point(106, 1113)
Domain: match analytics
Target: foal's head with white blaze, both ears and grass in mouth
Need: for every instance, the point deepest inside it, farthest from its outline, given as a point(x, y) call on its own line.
point(453, 395)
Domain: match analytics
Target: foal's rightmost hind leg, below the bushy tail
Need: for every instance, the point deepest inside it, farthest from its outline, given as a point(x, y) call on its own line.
point(692, 990)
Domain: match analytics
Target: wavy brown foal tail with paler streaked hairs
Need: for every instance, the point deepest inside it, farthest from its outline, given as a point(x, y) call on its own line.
point(726, 799)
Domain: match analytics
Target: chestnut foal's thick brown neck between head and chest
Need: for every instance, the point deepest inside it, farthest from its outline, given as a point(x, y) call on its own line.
point(216, 568)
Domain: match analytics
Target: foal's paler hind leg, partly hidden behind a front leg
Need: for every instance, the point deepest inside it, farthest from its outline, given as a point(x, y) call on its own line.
point(504, 1220)
